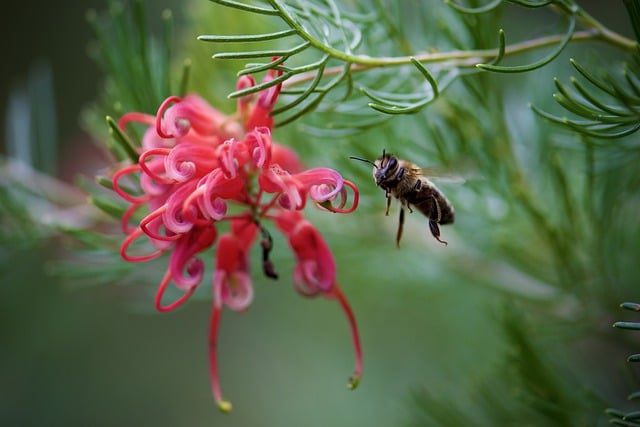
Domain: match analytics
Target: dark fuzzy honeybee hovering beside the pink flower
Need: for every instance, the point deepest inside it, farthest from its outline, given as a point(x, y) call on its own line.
point(406, 182)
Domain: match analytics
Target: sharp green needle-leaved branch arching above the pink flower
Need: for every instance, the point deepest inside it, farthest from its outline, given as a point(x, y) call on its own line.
point(325, 42)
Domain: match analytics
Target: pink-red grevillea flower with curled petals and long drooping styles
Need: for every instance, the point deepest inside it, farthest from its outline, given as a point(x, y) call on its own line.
point(196, 165)
